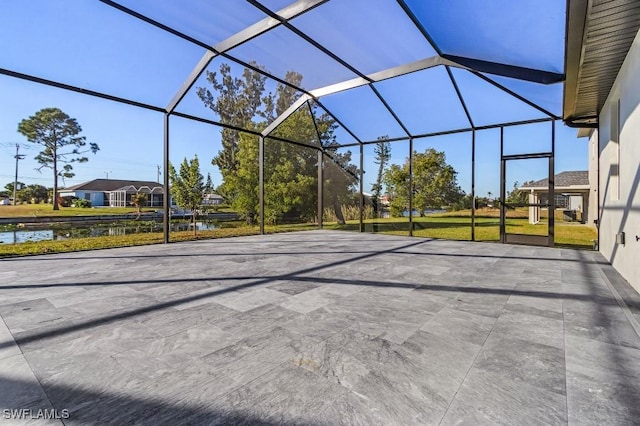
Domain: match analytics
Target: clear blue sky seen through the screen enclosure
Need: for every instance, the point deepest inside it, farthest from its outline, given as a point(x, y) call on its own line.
point(91, 45)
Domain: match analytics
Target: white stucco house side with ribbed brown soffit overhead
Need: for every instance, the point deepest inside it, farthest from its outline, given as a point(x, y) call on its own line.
point(602, 98)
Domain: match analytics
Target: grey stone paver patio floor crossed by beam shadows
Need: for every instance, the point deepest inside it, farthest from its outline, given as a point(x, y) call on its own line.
point(320, 327)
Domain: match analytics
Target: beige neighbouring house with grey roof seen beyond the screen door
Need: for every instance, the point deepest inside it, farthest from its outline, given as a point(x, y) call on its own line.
point(572, 192)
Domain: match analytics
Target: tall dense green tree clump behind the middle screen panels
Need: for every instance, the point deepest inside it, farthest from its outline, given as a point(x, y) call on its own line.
point(290, 174)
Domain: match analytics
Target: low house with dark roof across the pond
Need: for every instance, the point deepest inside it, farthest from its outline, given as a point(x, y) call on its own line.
point(115, 192)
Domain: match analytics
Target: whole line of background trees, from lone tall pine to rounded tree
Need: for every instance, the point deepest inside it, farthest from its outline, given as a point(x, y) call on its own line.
point(290, 177)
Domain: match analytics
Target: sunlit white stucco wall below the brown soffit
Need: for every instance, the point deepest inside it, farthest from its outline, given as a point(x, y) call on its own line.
point(619, 145)
